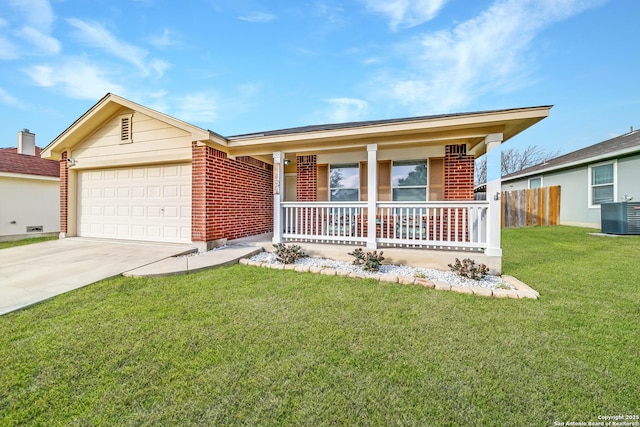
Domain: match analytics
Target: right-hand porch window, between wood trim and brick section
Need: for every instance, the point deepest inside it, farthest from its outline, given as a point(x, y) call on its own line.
point(409, 181)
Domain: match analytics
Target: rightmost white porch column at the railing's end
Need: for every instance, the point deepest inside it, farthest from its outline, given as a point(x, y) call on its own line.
point(493, 142)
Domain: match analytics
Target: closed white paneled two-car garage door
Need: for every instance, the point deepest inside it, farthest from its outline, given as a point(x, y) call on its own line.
point(139, 203)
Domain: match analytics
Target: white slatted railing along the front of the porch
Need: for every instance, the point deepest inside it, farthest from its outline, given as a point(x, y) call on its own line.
point(432, 225)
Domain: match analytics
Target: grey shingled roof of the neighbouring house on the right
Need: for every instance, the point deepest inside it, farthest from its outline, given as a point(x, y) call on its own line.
point(615, 147)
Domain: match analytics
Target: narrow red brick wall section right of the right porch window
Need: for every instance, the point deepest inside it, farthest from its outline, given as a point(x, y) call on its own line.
point(458, 174)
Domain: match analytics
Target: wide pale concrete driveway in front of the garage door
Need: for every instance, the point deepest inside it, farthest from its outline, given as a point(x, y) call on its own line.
point(33, 273)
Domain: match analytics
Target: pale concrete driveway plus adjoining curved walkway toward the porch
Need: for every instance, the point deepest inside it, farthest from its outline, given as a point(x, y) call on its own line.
point(33, 273)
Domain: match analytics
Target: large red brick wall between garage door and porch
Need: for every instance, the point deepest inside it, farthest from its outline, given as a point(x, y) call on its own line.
point(230, 198)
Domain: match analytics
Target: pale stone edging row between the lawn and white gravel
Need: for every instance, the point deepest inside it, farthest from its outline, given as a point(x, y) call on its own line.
point(521, 290)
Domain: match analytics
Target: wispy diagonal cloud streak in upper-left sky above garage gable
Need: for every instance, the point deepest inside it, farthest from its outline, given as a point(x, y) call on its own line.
point(94, 34)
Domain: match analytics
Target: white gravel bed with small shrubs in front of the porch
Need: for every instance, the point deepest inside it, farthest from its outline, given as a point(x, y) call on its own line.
point(488, 281)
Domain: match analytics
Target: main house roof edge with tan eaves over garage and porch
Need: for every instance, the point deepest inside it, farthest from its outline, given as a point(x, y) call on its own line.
point(459, 128)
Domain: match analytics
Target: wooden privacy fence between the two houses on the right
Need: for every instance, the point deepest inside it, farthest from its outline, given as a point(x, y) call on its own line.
point(531, 207)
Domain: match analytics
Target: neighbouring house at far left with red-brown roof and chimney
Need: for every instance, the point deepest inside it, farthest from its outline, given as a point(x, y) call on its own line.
point(29, 191)
